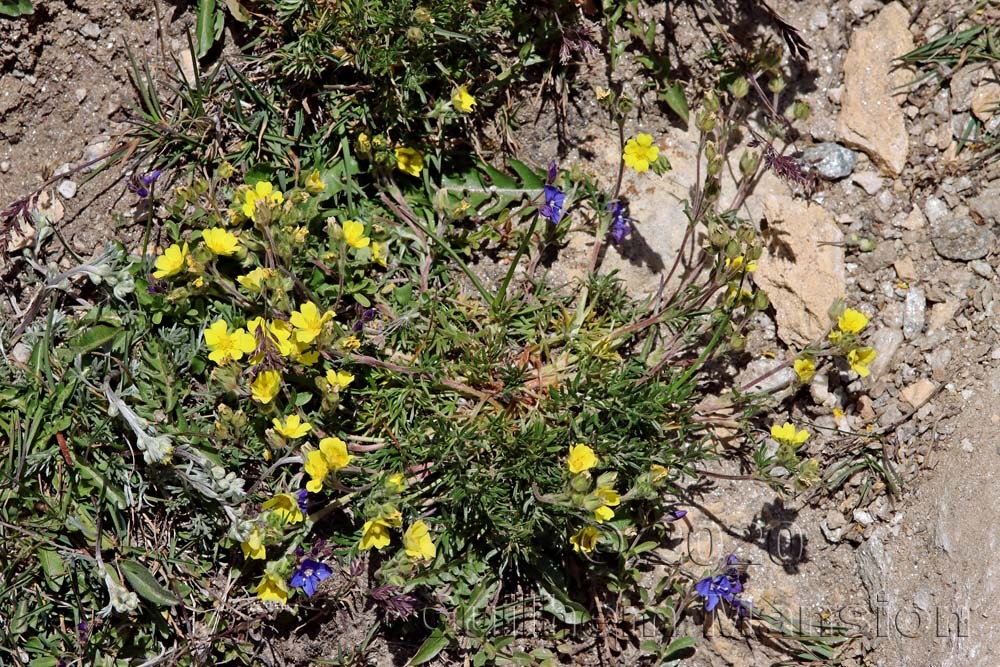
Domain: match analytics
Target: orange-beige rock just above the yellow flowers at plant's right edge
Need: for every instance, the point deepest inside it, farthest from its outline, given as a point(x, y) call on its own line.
point(800, 276)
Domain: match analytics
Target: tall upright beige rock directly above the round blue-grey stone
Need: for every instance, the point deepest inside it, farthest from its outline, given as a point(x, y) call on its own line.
point(871, 117)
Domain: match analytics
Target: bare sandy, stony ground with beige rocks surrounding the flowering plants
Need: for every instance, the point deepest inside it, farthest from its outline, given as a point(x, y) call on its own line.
point(897, 568)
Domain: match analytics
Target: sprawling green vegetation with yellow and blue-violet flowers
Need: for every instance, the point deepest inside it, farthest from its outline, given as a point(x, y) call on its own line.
point(314, 394)
